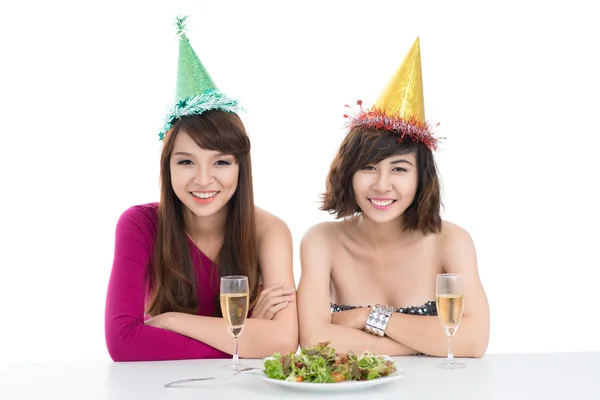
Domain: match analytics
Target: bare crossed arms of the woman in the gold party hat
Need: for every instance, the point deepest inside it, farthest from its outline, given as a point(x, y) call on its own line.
point(405, 334)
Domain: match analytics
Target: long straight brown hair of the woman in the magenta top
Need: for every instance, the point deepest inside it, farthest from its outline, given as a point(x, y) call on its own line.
point(172, 276)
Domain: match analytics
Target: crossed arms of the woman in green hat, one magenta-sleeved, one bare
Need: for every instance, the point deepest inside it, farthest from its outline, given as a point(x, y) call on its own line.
point(179, 336)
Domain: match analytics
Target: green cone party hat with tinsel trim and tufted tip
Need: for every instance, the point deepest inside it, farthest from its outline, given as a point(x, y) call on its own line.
point(196, 91)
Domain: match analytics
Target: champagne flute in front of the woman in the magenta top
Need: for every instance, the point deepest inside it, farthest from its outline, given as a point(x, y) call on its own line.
point(234, 307)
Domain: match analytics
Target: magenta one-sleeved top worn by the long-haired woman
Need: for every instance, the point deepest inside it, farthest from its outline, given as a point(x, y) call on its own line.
point(127, 337)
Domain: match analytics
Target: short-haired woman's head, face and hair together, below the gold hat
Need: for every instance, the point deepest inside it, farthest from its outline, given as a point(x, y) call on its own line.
point(376, 174)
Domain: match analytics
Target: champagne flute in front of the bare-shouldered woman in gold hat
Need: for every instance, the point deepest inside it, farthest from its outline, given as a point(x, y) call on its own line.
point(450, 297)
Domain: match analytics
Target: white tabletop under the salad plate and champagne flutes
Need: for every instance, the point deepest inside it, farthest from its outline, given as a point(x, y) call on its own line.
point(508, 376)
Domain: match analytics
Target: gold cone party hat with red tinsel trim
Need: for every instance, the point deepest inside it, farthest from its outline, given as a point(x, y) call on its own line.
point(400, 107)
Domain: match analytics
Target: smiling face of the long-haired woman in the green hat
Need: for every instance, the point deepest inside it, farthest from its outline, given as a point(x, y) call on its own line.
point(203, 180)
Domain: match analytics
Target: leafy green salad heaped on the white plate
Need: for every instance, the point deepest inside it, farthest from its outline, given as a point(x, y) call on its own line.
point(321, 364)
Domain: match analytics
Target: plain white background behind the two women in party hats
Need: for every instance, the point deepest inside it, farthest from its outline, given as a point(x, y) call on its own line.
point(84, 87)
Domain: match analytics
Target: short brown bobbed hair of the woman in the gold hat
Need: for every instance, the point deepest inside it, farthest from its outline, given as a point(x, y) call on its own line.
point(362, 147)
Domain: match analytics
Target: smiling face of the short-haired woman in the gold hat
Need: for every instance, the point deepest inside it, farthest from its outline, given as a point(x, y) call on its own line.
point(384, 190)
